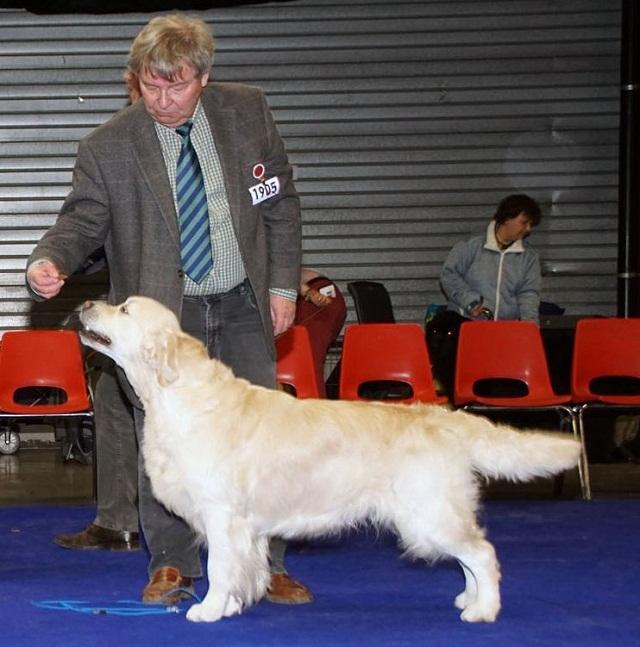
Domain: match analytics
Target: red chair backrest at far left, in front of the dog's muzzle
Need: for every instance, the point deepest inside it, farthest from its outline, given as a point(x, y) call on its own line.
point(42, 359)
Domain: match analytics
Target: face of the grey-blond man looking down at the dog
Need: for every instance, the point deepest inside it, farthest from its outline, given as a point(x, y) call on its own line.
point(171, 103)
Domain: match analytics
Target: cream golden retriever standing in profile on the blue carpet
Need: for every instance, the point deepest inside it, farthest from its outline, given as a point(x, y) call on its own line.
point(241, 463)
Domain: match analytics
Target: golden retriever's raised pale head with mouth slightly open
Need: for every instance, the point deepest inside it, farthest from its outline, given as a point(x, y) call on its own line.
point(140, 335)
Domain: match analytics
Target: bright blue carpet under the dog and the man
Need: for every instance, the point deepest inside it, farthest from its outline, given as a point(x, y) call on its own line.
point(570, 577)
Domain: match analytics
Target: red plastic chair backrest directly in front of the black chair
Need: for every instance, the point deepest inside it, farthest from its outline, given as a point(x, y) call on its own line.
point(391, 352)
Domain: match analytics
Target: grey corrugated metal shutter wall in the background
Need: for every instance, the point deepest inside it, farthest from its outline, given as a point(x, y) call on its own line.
point(406, 121)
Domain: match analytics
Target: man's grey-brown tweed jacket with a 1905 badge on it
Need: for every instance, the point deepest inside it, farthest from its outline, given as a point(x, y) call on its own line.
point(121, 199)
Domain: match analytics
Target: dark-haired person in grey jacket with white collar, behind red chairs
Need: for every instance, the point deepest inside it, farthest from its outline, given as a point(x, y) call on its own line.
point(494, 275)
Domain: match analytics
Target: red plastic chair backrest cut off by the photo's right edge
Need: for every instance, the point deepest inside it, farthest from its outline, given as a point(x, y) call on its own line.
point(606, 350)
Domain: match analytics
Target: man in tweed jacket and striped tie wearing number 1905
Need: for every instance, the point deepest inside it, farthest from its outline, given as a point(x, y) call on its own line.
point(190, 192)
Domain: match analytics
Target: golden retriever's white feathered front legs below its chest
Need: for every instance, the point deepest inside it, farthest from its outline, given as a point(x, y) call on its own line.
point(236, 567)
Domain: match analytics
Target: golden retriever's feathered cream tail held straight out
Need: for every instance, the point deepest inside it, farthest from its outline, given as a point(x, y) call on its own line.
point(500, 451)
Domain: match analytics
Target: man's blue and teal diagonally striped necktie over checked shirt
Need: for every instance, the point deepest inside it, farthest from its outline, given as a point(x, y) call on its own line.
point(193, 215)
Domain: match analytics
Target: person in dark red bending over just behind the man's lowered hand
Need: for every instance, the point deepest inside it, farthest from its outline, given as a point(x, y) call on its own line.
point(322, 310)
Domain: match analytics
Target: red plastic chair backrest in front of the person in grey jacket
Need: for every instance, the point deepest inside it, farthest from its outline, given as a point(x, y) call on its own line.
point(503, 350)
